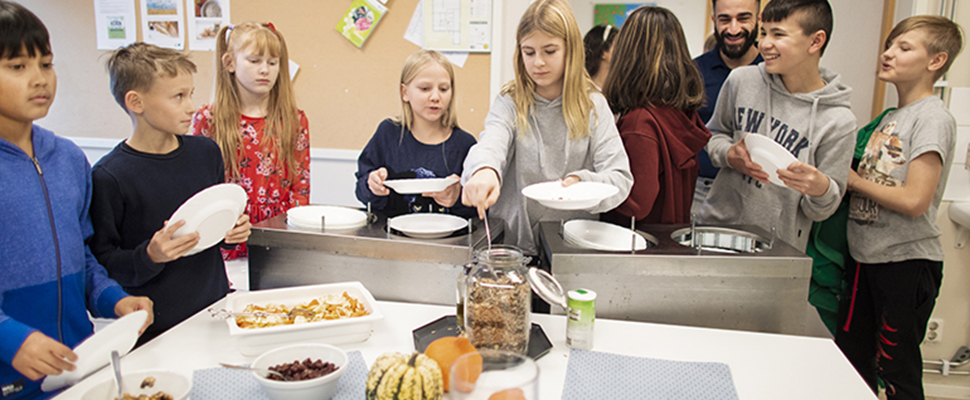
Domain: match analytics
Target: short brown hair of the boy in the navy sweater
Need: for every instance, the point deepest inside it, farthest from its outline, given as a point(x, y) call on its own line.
point(134, 67)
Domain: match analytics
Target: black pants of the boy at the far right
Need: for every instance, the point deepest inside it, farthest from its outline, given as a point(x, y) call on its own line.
point(882, 320)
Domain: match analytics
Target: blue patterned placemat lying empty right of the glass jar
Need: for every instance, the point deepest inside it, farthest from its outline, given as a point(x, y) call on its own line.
point(595, 375)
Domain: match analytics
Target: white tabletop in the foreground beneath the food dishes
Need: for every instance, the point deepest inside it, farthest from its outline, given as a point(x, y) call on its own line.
point(764, 366)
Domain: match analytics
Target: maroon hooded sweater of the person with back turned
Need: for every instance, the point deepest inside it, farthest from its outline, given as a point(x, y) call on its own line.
point(662, 143)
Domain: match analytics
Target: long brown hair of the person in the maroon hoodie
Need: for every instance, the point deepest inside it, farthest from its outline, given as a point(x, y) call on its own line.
point(651, 65)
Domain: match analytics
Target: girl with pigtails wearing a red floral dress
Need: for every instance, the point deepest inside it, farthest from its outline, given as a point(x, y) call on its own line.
point(264, 137)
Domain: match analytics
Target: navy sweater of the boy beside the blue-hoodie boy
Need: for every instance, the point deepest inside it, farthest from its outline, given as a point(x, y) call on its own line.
point(134, 193)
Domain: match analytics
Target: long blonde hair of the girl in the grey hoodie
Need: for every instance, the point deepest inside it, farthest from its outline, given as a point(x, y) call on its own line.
point(554, 18)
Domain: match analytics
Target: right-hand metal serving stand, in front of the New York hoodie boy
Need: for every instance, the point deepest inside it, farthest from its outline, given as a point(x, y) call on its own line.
point(718, 277)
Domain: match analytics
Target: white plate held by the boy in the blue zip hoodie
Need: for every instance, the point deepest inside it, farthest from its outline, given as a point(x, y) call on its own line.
point(95, 351)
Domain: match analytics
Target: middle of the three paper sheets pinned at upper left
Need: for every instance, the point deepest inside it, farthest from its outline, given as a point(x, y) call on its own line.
point(162, 23)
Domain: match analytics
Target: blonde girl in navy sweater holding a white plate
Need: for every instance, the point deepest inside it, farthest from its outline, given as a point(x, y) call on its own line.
point(424, 142)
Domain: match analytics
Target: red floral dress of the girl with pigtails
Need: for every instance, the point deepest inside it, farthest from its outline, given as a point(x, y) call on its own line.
point(260, 172)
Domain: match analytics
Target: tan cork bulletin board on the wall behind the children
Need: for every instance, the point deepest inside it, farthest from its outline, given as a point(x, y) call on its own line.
point(345, 91)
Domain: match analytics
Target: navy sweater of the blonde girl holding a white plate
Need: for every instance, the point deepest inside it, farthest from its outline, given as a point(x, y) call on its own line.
point(405, 157)
